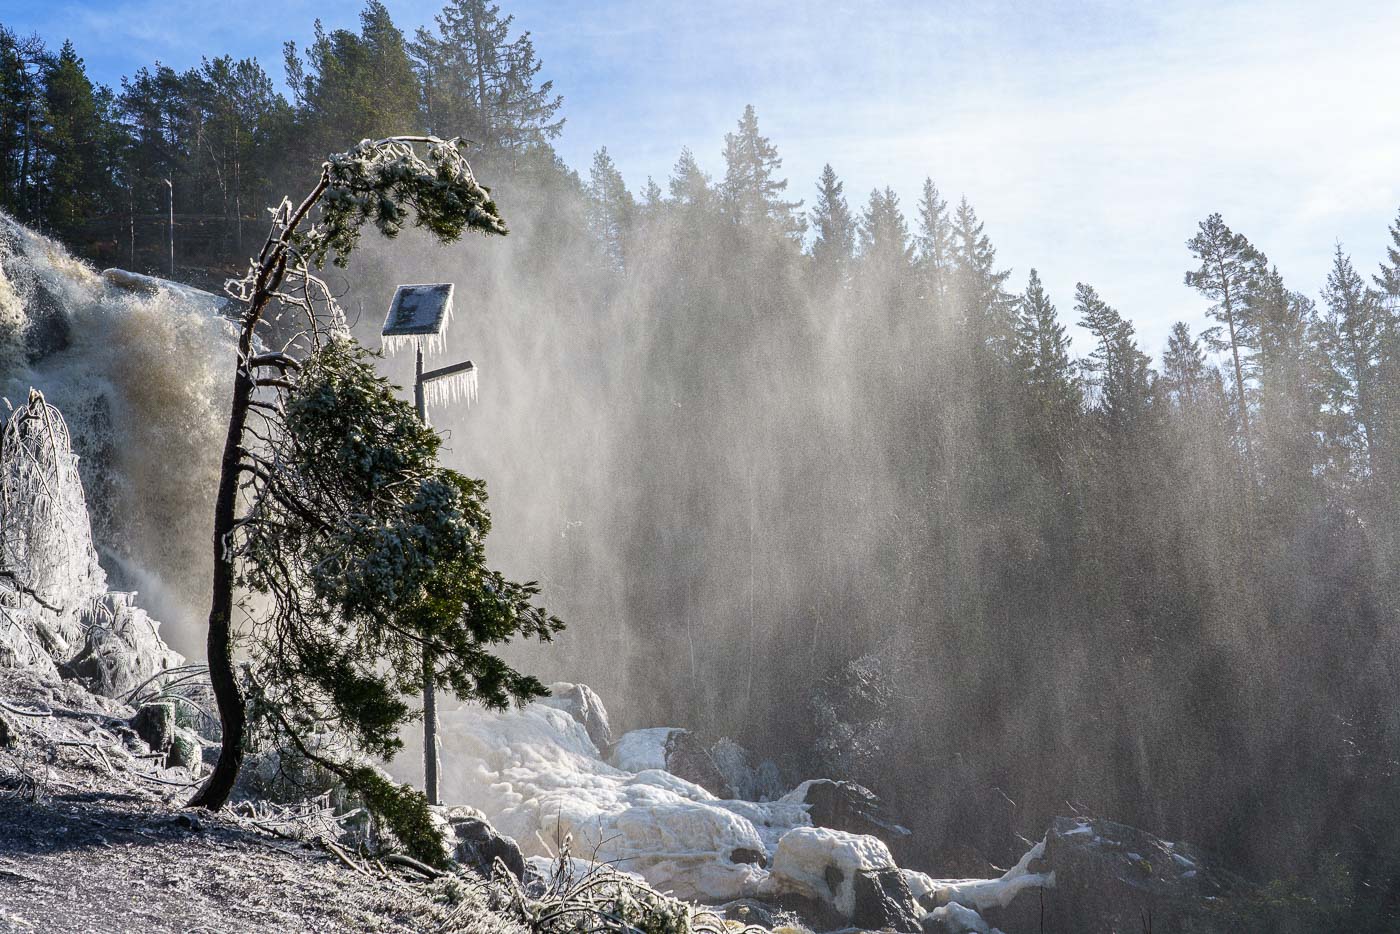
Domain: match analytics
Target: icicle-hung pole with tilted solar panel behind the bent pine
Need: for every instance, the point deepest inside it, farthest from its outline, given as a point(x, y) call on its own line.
point(418, 314)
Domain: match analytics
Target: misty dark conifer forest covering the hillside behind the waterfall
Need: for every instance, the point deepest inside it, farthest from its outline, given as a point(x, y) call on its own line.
point(824, 473)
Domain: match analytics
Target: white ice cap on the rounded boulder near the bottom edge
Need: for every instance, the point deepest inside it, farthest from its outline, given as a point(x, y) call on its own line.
point(806, 860)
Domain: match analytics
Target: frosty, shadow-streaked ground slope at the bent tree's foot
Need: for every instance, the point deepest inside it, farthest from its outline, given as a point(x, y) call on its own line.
point(94, 838)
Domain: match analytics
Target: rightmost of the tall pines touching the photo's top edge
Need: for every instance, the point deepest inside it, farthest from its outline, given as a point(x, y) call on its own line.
point(481, 85)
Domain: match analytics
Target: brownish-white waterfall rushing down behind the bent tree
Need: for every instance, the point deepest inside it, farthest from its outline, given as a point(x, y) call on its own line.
point(142, 382)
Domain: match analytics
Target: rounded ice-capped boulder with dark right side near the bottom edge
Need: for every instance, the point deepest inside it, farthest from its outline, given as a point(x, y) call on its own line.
point(855, 874)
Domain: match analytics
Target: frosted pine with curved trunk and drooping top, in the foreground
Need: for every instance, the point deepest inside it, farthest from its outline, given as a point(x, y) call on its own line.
point(363, 554)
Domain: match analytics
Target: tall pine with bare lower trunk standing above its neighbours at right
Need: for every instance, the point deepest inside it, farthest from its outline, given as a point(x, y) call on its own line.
point(1228, 267)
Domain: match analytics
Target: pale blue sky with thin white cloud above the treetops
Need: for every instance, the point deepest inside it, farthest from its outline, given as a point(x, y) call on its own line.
point(1091, 138)
